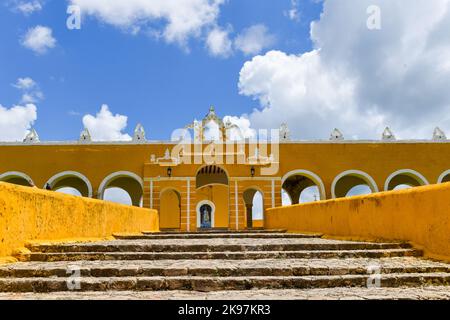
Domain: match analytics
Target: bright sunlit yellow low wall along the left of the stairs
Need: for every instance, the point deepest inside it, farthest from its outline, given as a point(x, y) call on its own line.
point(28, 214)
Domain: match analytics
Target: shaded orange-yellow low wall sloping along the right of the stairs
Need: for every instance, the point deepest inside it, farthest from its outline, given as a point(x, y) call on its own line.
point(419, 215)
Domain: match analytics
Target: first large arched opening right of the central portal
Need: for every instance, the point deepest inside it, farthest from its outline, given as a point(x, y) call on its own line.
point(303, 186)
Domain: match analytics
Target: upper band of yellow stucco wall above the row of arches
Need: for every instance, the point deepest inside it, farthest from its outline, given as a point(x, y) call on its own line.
point(327, 160)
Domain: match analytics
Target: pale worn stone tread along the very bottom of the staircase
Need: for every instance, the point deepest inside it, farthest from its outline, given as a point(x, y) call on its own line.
point(401, 293)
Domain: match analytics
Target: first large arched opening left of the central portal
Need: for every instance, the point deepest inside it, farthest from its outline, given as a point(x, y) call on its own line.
point(114, 187)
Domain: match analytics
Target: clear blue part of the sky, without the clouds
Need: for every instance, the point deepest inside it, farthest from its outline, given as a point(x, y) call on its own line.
point(159, 84)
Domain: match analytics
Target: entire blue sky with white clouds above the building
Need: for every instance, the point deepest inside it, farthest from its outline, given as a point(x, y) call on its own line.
point(356, 65)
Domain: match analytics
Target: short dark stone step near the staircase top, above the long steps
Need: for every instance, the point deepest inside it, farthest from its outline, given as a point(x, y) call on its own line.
point(216, 236)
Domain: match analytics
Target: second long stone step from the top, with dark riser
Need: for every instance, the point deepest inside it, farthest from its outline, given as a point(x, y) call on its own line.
point(316, 254)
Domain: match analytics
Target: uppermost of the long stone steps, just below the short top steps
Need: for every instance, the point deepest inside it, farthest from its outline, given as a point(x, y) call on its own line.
point(148, 247)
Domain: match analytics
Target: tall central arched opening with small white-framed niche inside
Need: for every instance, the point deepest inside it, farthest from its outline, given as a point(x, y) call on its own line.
point(212, 197)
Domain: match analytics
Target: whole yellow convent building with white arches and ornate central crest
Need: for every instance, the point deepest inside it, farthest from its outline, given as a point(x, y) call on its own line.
point(207, 182)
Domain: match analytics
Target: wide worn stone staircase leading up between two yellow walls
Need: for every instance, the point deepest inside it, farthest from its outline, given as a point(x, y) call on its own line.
point(169, 263)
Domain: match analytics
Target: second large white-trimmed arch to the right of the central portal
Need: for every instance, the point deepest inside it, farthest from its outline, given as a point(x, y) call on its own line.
point(346, 180)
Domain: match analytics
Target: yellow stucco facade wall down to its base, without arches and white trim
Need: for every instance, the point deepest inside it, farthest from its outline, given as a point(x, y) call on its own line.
point(325, 159)
